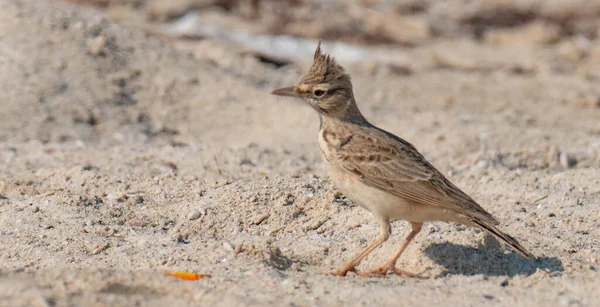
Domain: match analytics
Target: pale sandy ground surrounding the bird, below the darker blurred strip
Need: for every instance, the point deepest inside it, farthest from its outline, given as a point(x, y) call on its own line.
point(124, 155)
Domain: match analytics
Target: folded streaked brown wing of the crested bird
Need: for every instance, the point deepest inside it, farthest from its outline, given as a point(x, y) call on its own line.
point(385, 161)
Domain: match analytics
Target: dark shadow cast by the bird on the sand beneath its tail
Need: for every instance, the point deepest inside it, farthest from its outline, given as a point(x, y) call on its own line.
point(464, 260)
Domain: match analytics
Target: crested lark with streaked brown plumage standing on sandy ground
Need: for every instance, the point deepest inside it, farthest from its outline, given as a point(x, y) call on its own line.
point(379, 171)
